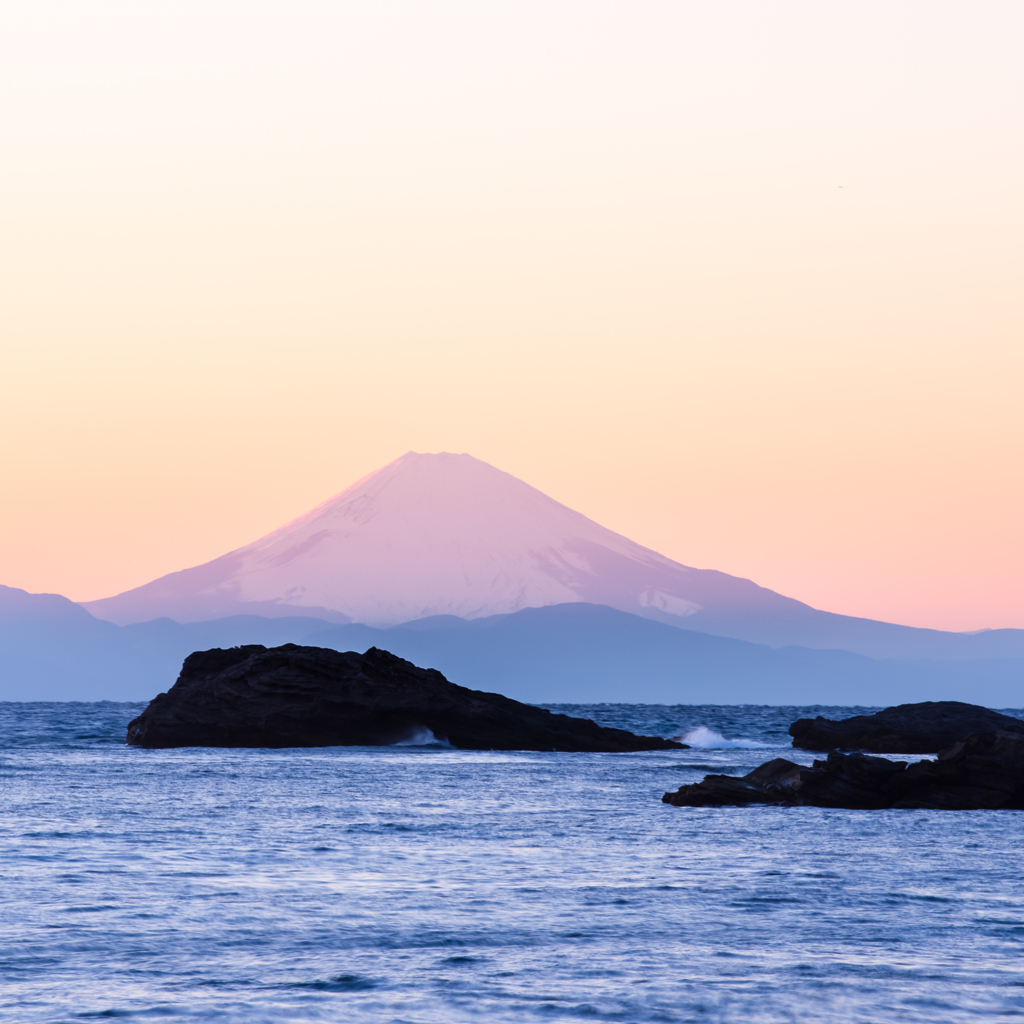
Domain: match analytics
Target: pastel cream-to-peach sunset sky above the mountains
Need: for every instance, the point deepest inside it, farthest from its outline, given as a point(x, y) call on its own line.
point(740, 280)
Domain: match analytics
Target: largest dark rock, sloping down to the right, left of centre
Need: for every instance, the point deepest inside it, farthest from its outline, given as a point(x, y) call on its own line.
point(313, 697)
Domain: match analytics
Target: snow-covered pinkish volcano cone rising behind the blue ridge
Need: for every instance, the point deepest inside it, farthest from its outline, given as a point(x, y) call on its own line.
point(449, 535)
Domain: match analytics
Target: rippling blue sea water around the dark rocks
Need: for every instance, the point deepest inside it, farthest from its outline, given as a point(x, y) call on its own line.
point(429, 885)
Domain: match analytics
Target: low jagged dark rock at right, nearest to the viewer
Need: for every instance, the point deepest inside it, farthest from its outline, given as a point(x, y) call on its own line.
point(984, 772)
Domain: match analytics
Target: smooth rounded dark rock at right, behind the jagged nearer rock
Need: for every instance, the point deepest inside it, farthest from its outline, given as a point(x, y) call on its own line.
point(921, 729)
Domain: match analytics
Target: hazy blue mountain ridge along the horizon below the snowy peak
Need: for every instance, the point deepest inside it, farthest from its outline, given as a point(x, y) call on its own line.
point(52, 650)
